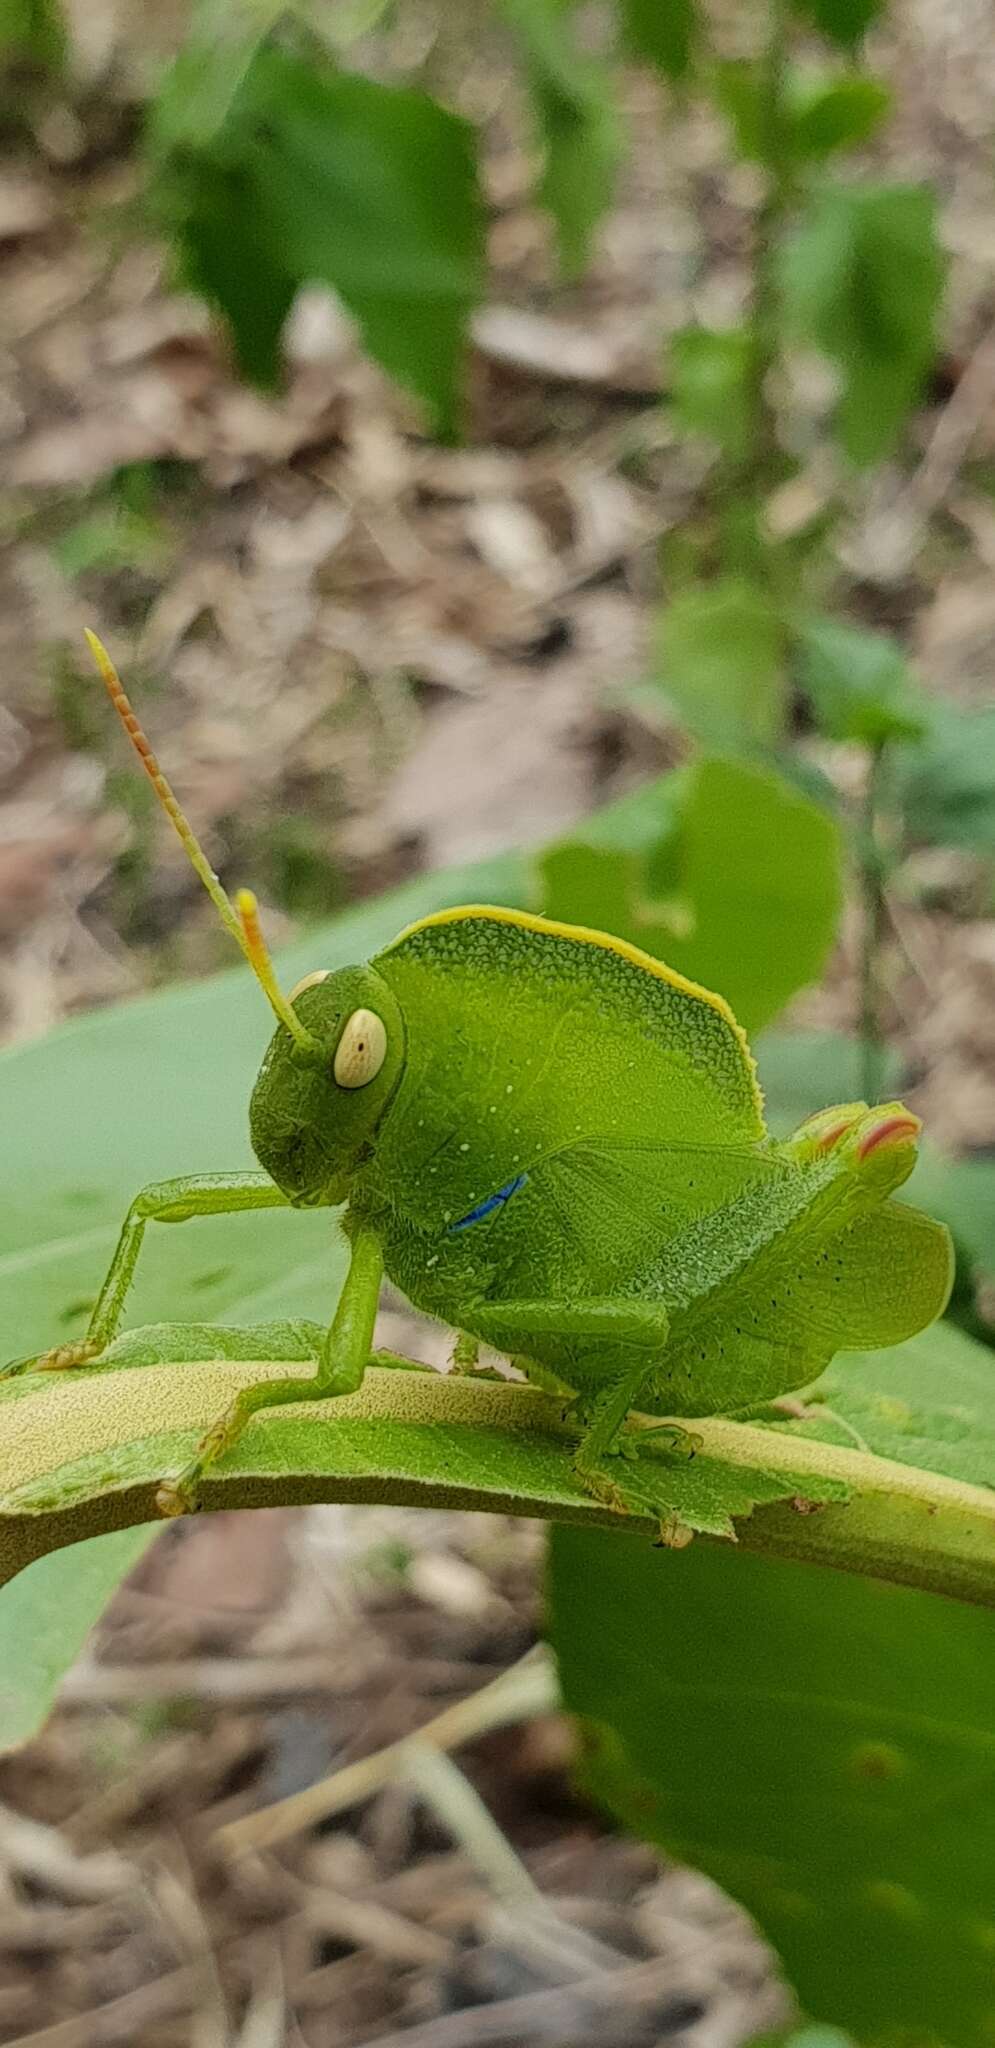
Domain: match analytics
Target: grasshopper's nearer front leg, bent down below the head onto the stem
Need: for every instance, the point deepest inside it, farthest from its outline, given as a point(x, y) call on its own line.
point(341, 1369)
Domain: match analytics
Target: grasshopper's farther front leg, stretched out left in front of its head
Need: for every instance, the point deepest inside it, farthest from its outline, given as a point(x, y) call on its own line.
point(165, 1201)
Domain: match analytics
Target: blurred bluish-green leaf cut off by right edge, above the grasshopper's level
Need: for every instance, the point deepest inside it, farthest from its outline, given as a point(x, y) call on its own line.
point(949, 783)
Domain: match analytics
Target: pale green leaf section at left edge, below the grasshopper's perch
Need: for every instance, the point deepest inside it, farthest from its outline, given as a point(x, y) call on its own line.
point(46, 1617)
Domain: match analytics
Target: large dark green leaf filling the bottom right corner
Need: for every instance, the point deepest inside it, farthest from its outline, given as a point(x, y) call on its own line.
point(820, 1746)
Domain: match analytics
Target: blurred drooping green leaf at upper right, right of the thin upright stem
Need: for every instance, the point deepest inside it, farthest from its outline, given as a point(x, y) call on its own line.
point(863, 280)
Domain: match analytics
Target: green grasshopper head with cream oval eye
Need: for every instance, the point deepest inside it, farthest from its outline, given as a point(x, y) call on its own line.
point(316, 1109)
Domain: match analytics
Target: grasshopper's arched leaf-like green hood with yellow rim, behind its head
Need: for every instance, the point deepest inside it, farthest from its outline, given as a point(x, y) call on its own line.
point(564, 1056)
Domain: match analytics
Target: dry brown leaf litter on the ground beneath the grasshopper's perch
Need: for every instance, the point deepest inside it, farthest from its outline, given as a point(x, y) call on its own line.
point(122, 1920)
